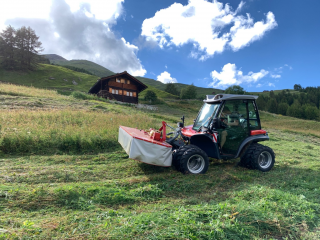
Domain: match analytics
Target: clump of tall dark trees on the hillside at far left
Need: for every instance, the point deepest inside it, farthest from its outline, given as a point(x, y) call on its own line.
point(19, 48)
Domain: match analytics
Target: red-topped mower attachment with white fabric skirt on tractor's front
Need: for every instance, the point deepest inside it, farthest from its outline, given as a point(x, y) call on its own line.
point(140, 146)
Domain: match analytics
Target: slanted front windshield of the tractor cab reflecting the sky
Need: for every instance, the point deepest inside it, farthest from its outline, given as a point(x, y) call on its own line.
point(207, 111)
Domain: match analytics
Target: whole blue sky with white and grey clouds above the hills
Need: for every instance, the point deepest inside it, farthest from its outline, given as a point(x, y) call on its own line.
point(257, 44)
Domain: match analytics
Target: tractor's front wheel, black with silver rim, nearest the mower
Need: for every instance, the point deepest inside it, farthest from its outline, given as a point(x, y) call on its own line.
point(194, 160)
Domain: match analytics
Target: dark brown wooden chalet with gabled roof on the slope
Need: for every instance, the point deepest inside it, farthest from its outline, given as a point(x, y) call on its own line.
point(120, 87)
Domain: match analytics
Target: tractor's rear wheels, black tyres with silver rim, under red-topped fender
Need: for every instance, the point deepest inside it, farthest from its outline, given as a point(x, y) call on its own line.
point(258, 157)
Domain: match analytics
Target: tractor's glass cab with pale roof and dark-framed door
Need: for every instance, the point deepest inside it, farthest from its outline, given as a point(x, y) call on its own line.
point(233, 117)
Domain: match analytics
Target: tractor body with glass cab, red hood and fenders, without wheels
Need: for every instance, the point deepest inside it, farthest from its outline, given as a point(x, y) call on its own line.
point(225, 124)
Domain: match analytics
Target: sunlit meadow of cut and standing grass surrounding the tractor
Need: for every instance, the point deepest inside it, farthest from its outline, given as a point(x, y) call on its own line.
point(63, 175)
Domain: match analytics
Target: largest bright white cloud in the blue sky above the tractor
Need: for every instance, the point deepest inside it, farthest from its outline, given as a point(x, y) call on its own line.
point(204, 24)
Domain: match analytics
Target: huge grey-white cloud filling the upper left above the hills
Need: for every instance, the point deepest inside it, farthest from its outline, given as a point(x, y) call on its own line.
point(76, 29)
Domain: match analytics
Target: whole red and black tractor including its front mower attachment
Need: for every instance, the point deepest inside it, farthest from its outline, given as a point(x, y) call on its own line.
point(227, 127)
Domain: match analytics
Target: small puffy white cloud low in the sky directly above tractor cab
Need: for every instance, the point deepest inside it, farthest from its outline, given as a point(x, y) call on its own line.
point(229, 75)
